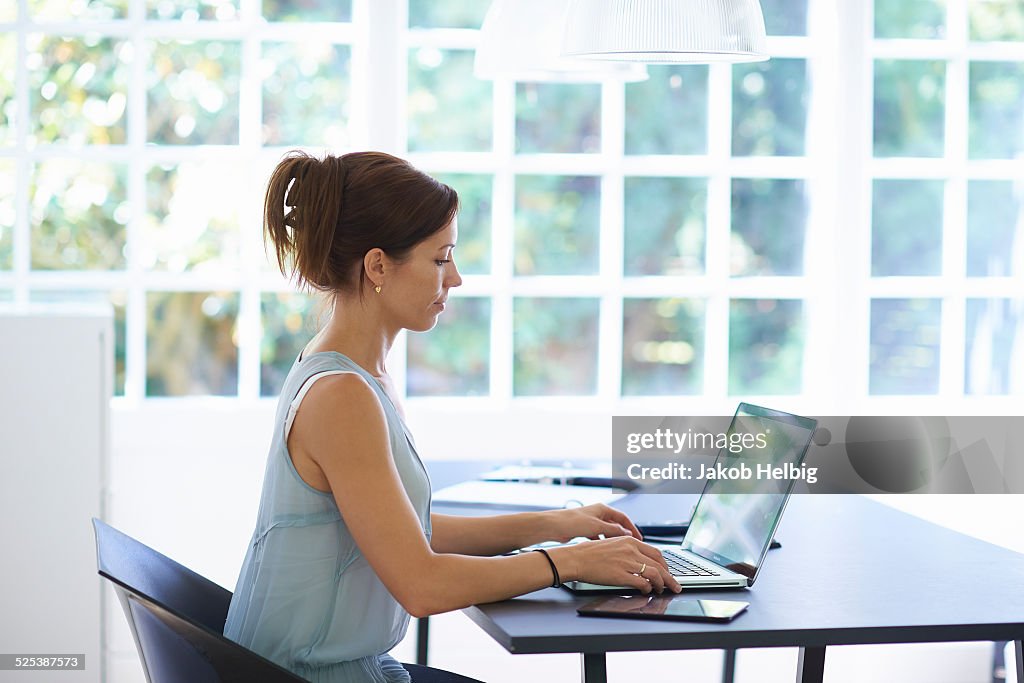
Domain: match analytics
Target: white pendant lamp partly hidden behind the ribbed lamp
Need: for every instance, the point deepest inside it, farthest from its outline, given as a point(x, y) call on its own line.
point(523, 40)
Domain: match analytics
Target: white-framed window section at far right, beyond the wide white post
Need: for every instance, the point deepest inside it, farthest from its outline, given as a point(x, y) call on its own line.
point(948, 225)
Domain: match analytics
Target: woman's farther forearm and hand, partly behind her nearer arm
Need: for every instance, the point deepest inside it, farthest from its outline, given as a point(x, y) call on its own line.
point(500, 534)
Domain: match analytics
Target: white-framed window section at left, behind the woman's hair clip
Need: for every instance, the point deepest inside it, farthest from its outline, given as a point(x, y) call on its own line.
point(137, 138)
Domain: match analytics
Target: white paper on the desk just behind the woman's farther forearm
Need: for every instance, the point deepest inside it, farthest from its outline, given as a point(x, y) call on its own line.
point(524, 495)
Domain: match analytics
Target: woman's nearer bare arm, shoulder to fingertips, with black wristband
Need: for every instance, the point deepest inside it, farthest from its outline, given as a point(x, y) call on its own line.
point(343, 429)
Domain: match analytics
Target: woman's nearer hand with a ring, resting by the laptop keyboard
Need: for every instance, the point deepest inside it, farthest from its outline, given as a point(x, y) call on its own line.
point(616, 562)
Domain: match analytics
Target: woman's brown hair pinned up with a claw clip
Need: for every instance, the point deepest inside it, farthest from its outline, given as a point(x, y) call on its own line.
point(323, 216)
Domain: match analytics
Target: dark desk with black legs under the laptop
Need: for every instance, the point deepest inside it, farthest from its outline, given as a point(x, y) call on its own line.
point(850, 572)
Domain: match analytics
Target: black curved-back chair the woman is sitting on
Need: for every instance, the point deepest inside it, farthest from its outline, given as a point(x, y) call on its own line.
point(178, 620)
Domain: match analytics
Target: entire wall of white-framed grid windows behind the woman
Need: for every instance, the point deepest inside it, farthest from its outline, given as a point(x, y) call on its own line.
point(841, 223)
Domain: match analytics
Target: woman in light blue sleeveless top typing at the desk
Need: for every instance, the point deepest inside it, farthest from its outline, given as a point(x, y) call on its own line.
point(346, 547)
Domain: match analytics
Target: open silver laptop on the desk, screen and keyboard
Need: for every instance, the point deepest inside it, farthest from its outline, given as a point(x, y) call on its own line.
point(735, 521)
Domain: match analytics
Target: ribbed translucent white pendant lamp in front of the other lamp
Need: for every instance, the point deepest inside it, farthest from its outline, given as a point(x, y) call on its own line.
point(666, 31)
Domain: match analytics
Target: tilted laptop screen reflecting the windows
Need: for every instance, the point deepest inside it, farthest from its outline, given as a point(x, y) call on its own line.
point(735, 521)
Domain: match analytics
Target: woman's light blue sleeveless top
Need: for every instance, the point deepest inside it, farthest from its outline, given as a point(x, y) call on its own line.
point(307, 599)
